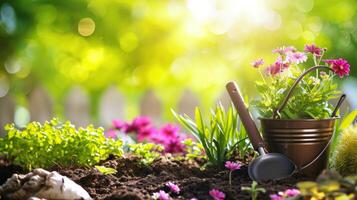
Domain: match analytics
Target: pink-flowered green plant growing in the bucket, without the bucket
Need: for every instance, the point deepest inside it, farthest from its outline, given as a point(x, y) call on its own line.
point(310, 97)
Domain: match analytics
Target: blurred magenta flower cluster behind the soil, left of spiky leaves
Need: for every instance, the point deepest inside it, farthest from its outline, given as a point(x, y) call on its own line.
point(144, 131)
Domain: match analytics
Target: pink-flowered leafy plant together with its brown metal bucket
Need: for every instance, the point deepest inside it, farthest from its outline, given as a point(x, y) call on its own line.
point(296, 116)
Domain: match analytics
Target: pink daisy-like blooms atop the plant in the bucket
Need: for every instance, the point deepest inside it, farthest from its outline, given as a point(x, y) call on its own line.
point(289, 55)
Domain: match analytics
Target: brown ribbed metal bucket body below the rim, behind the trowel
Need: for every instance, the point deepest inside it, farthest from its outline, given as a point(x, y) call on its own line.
point(304, 141)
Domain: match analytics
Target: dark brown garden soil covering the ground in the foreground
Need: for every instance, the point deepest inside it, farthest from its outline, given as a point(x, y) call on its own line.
point(136, 181)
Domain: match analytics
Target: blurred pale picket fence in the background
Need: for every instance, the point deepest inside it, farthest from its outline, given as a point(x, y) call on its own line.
point(111, 106)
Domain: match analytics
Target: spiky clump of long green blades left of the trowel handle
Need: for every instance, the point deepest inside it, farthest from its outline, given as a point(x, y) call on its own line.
point(220, 137)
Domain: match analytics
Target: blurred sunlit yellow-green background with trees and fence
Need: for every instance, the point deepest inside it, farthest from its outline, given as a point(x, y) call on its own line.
point(91, 61)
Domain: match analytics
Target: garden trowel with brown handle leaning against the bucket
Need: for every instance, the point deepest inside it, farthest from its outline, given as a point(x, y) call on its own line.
point(267, 166)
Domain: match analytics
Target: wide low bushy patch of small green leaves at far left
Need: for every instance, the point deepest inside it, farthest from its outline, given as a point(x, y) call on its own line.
point(53, 143)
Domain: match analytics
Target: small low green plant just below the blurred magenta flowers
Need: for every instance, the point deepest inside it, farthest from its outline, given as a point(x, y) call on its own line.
point(148, 152)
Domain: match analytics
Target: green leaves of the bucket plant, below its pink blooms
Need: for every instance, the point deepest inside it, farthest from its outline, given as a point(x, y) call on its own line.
point(309, 99)
